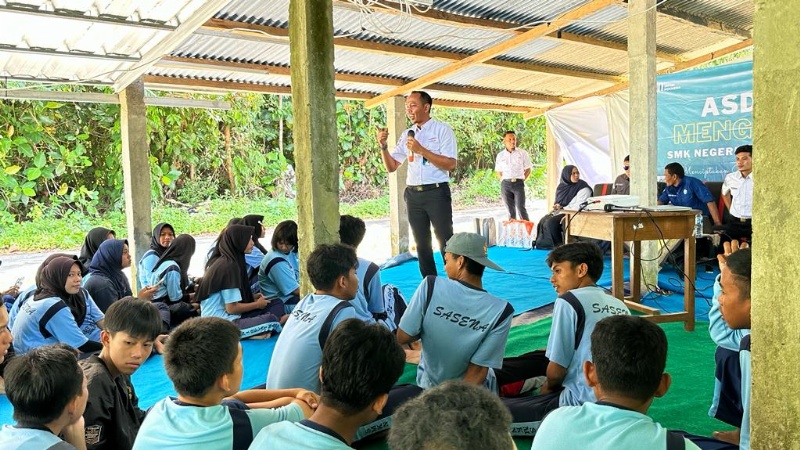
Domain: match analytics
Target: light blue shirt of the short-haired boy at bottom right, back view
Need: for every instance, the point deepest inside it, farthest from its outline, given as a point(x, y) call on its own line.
point(601, 426)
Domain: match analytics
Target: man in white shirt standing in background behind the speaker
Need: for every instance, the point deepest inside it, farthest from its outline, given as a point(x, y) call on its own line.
point(513, 166)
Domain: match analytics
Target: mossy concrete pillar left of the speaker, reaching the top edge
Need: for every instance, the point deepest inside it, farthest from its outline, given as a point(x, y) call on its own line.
point(315, 139)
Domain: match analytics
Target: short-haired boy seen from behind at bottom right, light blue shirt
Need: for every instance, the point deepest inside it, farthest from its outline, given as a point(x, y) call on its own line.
point(626, 371)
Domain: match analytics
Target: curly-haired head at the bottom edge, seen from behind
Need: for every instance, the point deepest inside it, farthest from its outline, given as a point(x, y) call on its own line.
point(453, 415)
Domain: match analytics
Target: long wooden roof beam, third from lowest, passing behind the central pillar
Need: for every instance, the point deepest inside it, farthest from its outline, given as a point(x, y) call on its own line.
point(267, 33)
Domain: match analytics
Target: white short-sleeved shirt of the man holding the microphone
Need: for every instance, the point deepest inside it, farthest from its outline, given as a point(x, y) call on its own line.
point(435, 136)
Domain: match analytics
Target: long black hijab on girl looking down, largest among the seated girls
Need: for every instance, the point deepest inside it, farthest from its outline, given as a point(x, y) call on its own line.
point(229, 270)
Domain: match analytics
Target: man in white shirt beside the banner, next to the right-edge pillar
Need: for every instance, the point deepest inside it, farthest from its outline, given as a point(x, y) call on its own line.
point(737, 193)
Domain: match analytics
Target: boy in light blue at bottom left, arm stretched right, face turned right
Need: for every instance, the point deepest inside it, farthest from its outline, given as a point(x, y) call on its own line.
point(203, 358)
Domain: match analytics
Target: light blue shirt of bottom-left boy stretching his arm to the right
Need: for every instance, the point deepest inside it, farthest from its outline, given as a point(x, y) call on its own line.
point(172, 425)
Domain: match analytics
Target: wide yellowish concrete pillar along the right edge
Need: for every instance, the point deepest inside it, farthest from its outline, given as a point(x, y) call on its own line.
point(775, 309)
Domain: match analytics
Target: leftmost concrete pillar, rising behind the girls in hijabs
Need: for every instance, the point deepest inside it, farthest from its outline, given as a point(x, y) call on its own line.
point(136, 171)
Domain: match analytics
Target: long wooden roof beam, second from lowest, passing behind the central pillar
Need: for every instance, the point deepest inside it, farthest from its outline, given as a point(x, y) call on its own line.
point(210, 64)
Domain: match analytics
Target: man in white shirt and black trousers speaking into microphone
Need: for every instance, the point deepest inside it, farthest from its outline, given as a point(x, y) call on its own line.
point(431, 151)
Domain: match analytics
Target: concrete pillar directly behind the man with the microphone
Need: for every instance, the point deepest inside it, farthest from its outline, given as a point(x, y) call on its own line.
point(398, 213)
